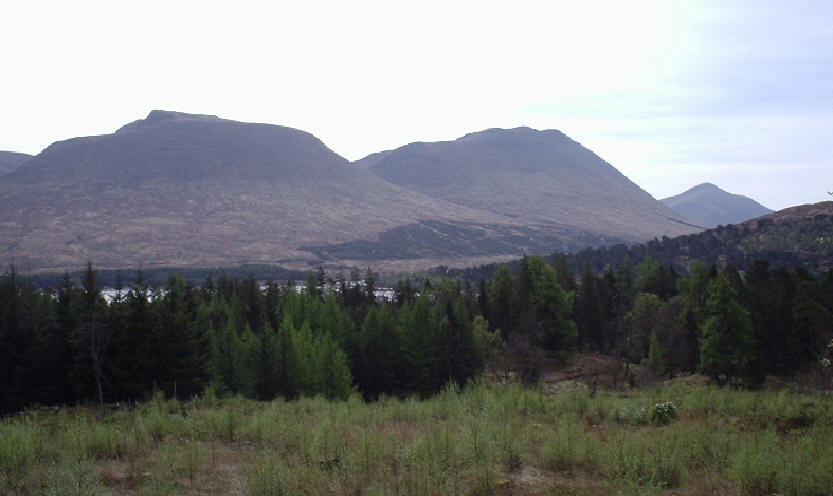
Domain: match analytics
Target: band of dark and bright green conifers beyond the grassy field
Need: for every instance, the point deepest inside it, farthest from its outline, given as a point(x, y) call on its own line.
point(71, 344)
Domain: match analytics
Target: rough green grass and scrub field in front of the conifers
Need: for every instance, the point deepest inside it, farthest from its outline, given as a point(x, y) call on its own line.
point(489, 439)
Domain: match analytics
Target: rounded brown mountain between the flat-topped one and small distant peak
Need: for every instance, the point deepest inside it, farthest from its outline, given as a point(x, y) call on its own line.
point(542, 178)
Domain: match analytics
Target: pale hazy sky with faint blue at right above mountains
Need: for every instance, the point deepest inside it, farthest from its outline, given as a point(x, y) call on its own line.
point(671, 93)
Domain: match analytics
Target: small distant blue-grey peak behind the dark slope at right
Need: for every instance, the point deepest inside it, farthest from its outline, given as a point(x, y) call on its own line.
point(710, 206)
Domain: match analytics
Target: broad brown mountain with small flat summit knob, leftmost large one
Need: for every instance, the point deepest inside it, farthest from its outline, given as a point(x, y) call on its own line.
point(198, 191)
